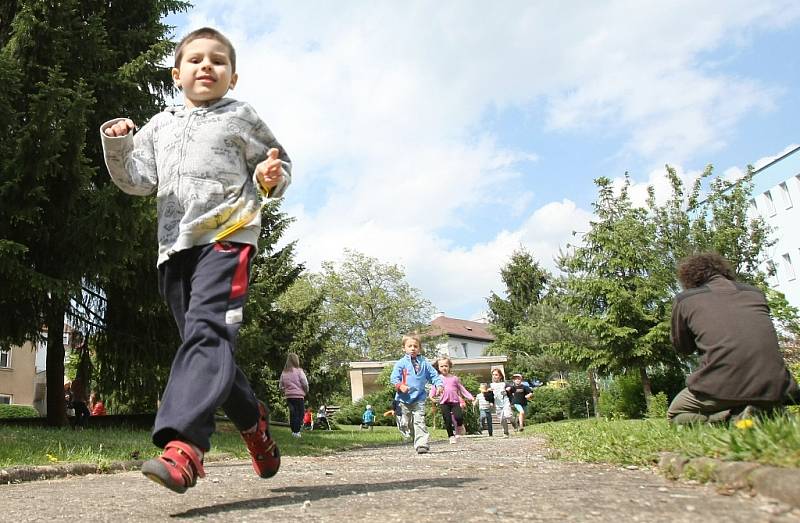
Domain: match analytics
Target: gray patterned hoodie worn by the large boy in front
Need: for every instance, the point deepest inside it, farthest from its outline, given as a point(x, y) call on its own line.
point(201, 164)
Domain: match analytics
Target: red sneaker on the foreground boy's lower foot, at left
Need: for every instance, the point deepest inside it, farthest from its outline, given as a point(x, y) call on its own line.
point(177, 468)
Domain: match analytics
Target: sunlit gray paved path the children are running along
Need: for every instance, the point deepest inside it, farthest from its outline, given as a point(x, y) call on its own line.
point(479, 479)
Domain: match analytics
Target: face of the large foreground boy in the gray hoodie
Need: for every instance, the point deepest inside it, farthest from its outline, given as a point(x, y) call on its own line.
point(205, 73)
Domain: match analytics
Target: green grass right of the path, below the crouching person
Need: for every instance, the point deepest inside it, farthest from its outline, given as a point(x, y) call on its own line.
point(639, 442)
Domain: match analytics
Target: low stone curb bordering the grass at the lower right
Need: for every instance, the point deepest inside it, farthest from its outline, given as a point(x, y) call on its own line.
point(774, 482)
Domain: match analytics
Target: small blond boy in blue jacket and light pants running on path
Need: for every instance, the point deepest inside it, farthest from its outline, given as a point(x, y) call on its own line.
point(409, 376)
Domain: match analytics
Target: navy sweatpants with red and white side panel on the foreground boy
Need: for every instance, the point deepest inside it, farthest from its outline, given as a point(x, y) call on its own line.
point(205, 288)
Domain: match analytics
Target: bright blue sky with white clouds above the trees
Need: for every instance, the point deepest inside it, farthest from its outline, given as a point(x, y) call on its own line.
point(441, 136)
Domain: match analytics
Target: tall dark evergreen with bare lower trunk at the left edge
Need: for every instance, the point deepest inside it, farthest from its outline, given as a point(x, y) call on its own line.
point(68, 66)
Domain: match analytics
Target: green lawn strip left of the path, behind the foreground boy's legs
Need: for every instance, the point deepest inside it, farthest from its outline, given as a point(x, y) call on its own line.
point(46, 446)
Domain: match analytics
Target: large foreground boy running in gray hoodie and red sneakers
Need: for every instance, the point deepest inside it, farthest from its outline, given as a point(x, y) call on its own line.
point(210, 162)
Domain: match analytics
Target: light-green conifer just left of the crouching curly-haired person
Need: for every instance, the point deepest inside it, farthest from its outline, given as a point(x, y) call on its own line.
point(612, 289)
